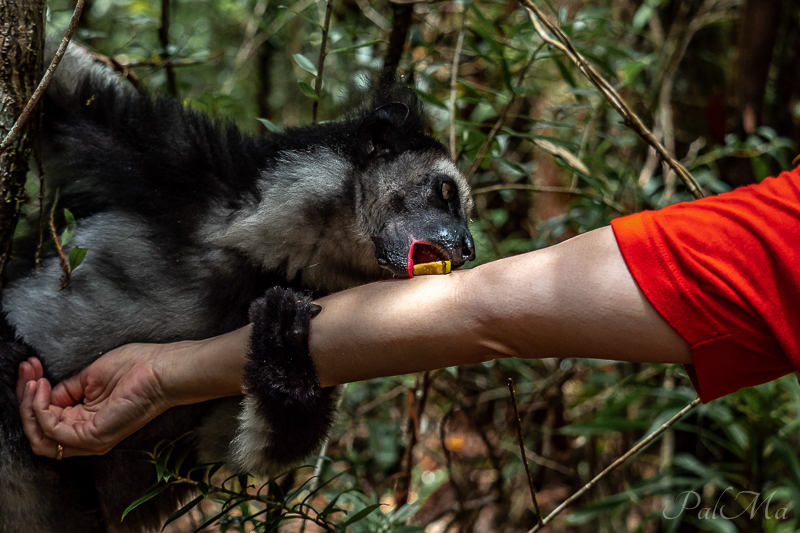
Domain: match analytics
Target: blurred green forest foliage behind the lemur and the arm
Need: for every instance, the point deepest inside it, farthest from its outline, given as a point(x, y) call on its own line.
point(717, 81)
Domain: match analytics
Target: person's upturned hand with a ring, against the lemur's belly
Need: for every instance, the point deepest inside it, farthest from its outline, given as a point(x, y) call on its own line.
point(120, 392)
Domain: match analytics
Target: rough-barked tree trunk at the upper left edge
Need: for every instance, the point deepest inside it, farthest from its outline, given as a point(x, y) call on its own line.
point(21, 68)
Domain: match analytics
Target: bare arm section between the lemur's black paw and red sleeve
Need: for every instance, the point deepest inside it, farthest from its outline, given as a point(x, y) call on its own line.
point(576, 299)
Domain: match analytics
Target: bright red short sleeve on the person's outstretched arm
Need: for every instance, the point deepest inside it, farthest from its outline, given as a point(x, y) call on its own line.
point(725, 273)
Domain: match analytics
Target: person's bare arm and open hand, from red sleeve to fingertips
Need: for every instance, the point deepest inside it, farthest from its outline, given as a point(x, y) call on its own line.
point(576, 299)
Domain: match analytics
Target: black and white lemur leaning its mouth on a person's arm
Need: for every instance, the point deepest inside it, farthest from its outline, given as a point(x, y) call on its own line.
point(189, 224)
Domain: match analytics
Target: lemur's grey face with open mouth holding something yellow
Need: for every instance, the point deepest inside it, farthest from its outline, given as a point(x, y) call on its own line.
point(416, 210)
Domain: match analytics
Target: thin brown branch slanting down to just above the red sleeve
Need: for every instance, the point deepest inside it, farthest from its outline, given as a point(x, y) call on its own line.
point(553, 36)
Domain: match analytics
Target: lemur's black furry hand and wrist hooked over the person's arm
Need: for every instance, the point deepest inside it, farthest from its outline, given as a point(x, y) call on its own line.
point(281, 376)
